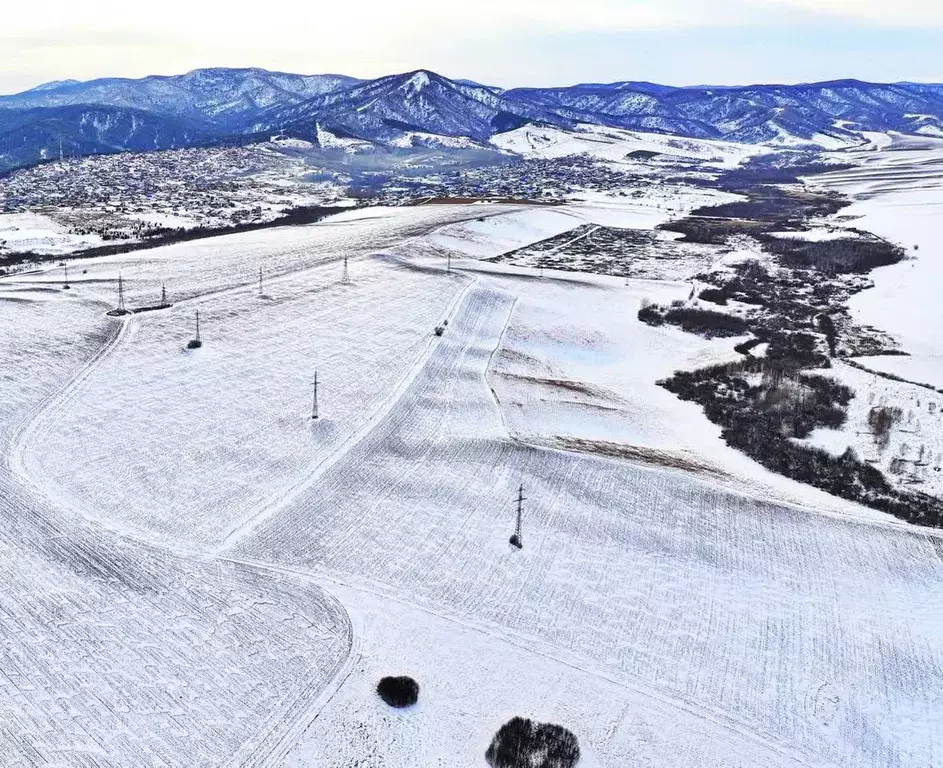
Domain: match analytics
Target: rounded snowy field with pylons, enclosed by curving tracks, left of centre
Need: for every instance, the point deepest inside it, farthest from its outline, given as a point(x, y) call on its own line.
point(238, 435)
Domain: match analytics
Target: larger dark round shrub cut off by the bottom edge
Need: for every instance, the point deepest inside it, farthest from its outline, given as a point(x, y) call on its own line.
point(522, 743)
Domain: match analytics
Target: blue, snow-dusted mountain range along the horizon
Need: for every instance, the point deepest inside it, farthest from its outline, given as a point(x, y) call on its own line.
point(211, 106)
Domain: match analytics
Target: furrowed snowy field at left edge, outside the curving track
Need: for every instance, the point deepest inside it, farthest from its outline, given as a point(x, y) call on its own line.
point(117, 654)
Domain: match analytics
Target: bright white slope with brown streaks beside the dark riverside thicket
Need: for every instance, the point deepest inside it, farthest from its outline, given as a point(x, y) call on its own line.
point(572, 373)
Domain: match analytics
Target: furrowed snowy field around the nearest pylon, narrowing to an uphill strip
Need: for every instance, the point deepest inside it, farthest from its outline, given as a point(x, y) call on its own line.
point(650, 577)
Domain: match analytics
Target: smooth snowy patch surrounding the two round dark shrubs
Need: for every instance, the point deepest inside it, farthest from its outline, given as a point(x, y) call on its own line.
point(474, 681)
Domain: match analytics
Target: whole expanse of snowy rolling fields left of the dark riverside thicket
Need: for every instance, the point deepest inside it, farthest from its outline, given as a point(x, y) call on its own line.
point(197, 574)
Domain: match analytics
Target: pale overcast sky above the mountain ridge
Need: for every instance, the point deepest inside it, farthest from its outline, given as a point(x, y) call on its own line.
point(500, 42)
